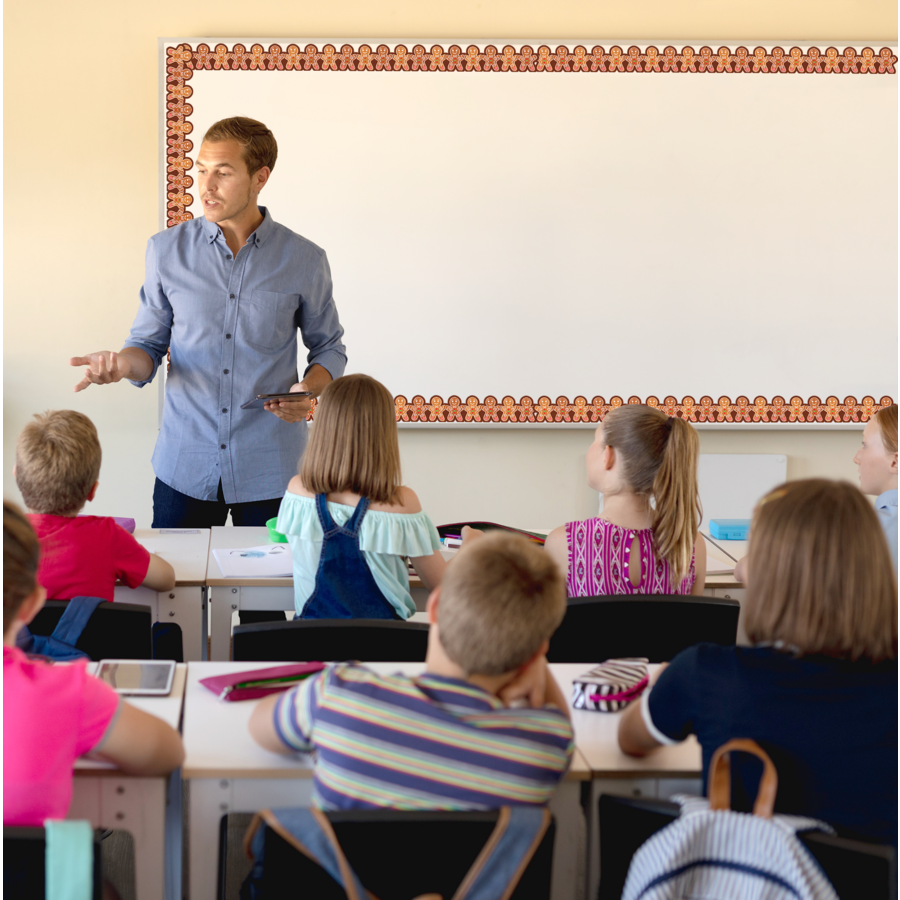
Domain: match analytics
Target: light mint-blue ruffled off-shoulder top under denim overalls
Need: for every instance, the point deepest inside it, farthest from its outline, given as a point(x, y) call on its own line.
point(385, 539)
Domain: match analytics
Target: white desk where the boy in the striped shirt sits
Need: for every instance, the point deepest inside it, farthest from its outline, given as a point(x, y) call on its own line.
point(230, 773)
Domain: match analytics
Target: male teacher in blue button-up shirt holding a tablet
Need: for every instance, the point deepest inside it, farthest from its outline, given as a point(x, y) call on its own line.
point(225, 294)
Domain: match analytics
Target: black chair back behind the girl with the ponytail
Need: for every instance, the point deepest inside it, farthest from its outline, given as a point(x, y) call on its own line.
point(657, 626)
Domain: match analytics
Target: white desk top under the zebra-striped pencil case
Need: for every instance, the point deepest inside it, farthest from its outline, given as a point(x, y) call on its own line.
point(596, 738)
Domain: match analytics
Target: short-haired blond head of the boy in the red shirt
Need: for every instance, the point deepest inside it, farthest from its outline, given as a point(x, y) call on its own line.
point(58, 462)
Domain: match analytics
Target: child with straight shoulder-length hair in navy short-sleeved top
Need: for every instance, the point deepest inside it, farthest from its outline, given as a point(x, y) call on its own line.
point(818, 688)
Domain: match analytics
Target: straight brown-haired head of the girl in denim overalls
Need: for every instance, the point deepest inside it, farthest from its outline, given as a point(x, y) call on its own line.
point(353, 446)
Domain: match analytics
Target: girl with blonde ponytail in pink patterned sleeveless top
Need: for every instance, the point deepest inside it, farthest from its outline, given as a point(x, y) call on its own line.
point(646, 540)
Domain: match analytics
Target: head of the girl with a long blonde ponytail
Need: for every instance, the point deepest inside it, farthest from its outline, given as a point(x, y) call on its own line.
point(642, 450)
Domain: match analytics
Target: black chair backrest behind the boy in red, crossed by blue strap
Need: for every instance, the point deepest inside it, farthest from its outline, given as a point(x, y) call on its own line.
point(114, 631)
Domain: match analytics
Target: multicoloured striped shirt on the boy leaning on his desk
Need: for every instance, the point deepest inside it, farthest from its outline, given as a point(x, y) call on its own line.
point(424, 742)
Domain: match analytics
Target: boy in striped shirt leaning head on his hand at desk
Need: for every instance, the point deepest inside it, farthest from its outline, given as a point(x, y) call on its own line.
point(447, 739)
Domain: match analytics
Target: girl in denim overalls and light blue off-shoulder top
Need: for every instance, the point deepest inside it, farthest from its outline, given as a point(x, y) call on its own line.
point(349, 522)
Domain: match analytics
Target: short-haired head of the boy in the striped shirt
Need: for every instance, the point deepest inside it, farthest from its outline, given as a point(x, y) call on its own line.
point(501, 599)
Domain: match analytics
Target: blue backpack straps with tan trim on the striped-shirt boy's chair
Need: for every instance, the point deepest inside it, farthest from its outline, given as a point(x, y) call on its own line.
point(493, 876)
